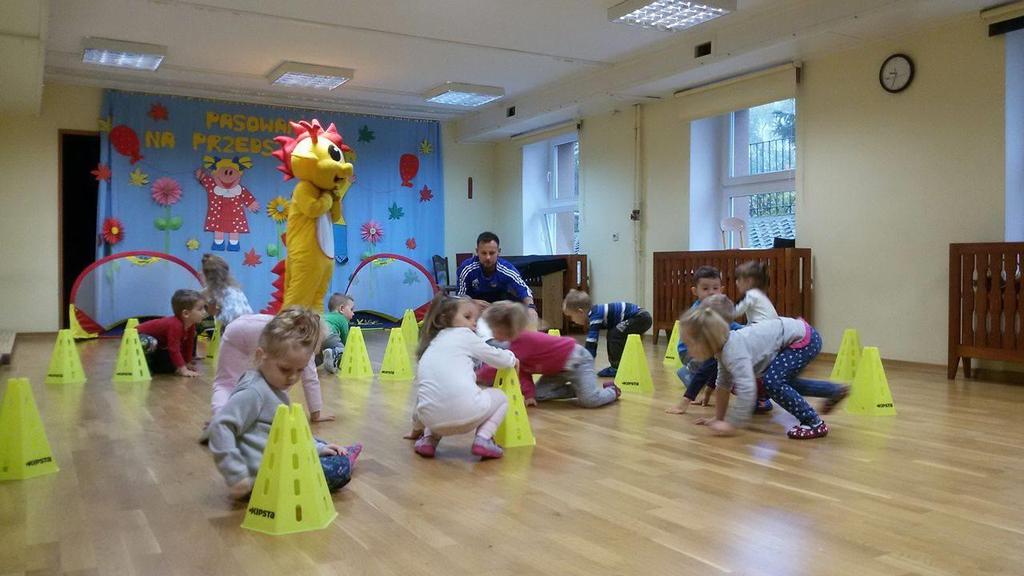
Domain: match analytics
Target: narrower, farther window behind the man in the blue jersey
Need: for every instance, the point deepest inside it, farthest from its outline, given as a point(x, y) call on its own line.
point(551, 196)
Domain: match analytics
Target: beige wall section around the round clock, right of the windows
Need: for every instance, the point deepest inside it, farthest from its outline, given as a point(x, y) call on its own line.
point(886, 183)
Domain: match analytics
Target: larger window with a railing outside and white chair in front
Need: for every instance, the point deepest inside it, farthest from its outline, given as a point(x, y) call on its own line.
point(752, 179)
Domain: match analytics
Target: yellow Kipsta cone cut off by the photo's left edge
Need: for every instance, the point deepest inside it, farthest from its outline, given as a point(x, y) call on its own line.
point(25, 452)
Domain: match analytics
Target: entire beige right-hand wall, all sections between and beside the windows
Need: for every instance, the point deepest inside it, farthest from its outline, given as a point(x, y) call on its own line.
point(885, 184)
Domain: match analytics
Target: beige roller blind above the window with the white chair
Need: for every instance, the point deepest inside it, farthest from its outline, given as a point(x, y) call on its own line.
point(770, 86)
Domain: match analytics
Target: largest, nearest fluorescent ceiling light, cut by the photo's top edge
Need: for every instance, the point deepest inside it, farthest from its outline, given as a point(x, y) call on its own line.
point(669, 15)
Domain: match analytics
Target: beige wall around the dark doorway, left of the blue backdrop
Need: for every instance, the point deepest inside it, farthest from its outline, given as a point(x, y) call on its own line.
point(29, 245)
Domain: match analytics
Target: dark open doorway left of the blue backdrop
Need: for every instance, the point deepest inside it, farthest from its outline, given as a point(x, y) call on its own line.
point(78, 156)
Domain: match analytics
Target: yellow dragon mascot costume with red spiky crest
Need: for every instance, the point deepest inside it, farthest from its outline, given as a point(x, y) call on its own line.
point(317, 158)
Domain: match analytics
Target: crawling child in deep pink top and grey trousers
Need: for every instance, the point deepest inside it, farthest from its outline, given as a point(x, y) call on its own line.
point(567, 368)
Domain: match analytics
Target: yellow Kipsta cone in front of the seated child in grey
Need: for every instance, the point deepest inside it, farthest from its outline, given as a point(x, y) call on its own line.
point(290, 495)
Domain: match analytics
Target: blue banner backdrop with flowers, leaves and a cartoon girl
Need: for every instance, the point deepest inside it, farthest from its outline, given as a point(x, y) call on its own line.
point(153, 147)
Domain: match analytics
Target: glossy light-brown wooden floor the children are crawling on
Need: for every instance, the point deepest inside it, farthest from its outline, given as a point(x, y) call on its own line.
point(626, 489)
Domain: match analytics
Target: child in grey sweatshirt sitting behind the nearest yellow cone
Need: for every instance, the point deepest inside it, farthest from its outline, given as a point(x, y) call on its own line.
point(239, 433)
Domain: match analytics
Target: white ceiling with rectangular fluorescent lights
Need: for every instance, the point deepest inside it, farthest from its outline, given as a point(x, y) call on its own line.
point(552, 57)
